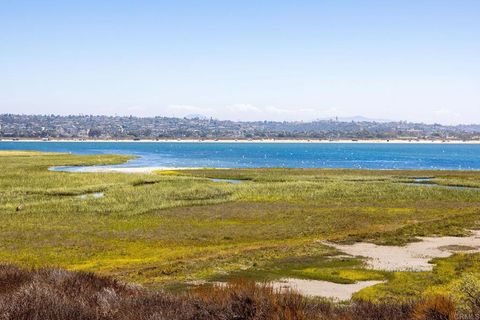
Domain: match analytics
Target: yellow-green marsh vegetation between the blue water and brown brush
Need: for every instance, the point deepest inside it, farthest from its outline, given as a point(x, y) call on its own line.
point(171, 227)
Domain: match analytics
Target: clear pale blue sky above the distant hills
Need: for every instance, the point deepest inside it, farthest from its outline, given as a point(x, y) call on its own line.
point(414, 60)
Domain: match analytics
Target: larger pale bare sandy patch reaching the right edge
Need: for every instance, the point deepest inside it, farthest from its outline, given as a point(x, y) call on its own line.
point(414, 256)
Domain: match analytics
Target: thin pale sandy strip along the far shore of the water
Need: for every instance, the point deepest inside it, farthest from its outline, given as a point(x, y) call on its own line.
point(312, 141)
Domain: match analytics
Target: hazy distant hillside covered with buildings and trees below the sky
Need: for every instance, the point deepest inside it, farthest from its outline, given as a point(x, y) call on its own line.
point(199, 127)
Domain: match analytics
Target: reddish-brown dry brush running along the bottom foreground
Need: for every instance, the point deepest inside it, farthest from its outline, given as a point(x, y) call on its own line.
point(60, 294)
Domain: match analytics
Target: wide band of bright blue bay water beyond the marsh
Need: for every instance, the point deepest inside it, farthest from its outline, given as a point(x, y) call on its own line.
point(266, 155)
